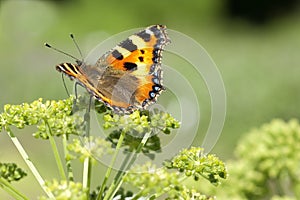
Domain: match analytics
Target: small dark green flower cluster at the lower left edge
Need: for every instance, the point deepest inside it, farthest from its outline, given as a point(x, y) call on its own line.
point(11, 172)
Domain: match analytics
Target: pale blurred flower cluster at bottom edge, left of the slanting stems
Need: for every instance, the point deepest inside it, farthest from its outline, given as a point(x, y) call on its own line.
point(65, 190)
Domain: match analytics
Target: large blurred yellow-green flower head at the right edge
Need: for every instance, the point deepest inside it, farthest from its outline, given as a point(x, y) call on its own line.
point(267, 164)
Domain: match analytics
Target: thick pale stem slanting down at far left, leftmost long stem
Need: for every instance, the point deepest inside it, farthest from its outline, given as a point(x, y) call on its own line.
point(30, 165)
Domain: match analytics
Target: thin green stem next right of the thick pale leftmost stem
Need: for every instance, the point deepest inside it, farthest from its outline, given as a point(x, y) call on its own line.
point(55, 152)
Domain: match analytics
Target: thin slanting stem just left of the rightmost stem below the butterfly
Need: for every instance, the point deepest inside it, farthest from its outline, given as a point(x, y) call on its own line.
point(108, 172)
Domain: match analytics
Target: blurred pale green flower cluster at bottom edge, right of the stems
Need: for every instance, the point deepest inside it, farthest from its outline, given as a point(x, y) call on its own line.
point(154, 182)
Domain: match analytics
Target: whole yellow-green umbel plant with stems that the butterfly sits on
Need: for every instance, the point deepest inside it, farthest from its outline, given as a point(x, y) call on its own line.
point(138, 132)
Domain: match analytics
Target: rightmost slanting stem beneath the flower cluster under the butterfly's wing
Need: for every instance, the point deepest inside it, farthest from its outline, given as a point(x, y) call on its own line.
point(119, 177)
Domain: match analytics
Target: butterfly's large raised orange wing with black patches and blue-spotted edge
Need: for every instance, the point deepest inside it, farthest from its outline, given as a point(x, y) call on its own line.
point(133, 77)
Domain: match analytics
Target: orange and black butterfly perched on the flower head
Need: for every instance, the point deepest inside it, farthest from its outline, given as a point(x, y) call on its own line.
point(129, 76)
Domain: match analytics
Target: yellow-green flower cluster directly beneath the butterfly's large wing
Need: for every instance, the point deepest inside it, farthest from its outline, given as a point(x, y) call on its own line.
point(136, 125)
